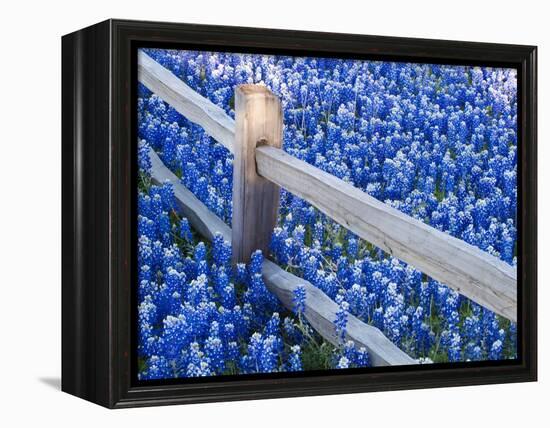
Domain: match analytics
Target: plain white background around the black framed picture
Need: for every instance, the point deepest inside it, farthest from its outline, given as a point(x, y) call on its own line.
point(30, 210)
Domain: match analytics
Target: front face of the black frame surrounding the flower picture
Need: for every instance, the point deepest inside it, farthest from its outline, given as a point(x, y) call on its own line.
point(120, 391)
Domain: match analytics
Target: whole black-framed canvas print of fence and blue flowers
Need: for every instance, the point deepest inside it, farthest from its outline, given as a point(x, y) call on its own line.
point(253, 213)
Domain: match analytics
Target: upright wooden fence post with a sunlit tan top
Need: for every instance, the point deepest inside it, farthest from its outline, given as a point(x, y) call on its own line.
point(259, 120)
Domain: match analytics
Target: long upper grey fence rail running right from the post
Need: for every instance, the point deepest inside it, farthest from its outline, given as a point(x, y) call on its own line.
point(472, 272)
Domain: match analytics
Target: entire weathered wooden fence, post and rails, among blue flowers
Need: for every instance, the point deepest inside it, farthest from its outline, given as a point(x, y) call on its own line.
point(261, 167)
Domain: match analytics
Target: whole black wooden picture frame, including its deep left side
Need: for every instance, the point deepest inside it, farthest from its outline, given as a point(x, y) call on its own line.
point(98, 211)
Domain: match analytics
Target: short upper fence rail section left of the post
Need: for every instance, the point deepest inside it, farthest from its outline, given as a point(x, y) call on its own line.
point(186, 101)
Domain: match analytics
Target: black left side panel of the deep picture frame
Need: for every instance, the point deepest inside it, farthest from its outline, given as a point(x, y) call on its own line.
point(86, 331)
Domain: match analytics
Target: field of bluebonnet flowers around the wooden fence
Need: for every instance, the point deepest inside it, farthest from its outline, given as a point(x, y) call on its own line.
point(437, 142)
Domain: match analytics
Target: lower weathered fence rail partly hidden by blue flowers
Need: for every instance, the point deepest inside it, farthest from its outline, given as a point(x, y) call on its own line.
point(320, 310)
